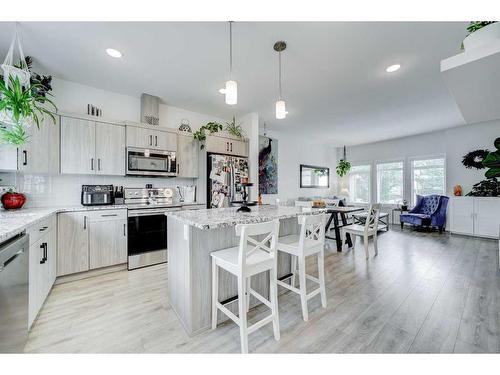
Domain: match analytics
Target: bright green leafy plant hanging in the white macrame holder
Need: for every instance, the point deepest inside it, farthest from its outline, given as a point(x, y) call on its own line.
point(20, 106)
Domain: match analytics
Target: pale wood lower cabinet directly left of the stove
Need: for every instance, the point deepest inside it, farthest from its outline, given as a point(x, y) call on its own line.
point(91, 239)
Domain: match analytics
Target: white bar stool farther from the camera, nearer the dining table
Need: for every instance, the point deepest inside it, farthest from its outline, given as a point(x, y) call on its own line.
point(310, 241)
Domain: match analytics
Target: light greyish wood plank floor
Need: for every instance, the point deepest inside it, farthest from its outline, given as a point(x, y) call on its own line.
point(425, 292)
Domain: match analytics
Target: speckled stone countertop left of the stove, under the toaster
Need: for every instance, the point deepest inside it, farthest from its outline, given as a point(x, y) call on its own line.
point(13, 222)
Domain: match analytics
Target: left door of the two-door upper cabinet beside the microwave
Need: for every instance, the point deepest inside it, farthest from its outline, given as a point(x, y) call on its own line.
point(77, 146)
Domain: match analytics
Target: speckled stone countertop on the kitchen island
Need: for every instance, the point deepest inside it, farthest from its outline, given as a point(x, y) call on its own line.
point(226, 217)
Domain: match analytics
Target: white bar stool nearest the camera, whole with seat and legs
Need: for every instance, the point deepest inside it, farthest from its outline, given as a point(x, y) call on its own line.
point(251, 257)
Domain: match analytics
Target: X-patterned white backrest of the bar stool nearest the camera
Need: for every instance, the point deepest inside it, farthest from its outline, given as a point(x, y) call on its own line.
point(267, 237)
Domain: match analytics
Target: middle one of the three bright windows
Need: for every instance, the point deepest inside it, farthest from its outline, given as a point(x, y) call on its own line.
point(390, 182)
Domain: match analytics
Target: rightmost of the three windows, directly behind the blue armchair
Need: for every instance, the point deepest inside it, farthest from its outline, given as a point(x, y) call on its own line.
point(428, 177)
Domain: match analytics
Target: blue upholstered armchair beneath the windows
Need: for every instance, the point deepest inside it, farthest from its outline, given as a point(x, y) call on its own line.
point(430, 210)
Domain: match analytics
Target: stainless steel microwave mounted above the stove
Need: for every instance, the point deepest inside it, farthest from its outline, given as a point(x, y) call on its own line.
point(146, 162)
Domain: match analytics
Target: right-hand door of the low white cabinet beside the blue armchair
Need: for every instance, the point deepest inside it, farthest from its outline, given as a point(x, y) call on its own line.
point(486, 216)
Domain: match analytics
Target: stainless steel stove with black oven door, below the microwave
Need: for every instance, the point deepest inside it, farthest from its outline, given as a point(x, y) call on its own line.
point(147, 225)
